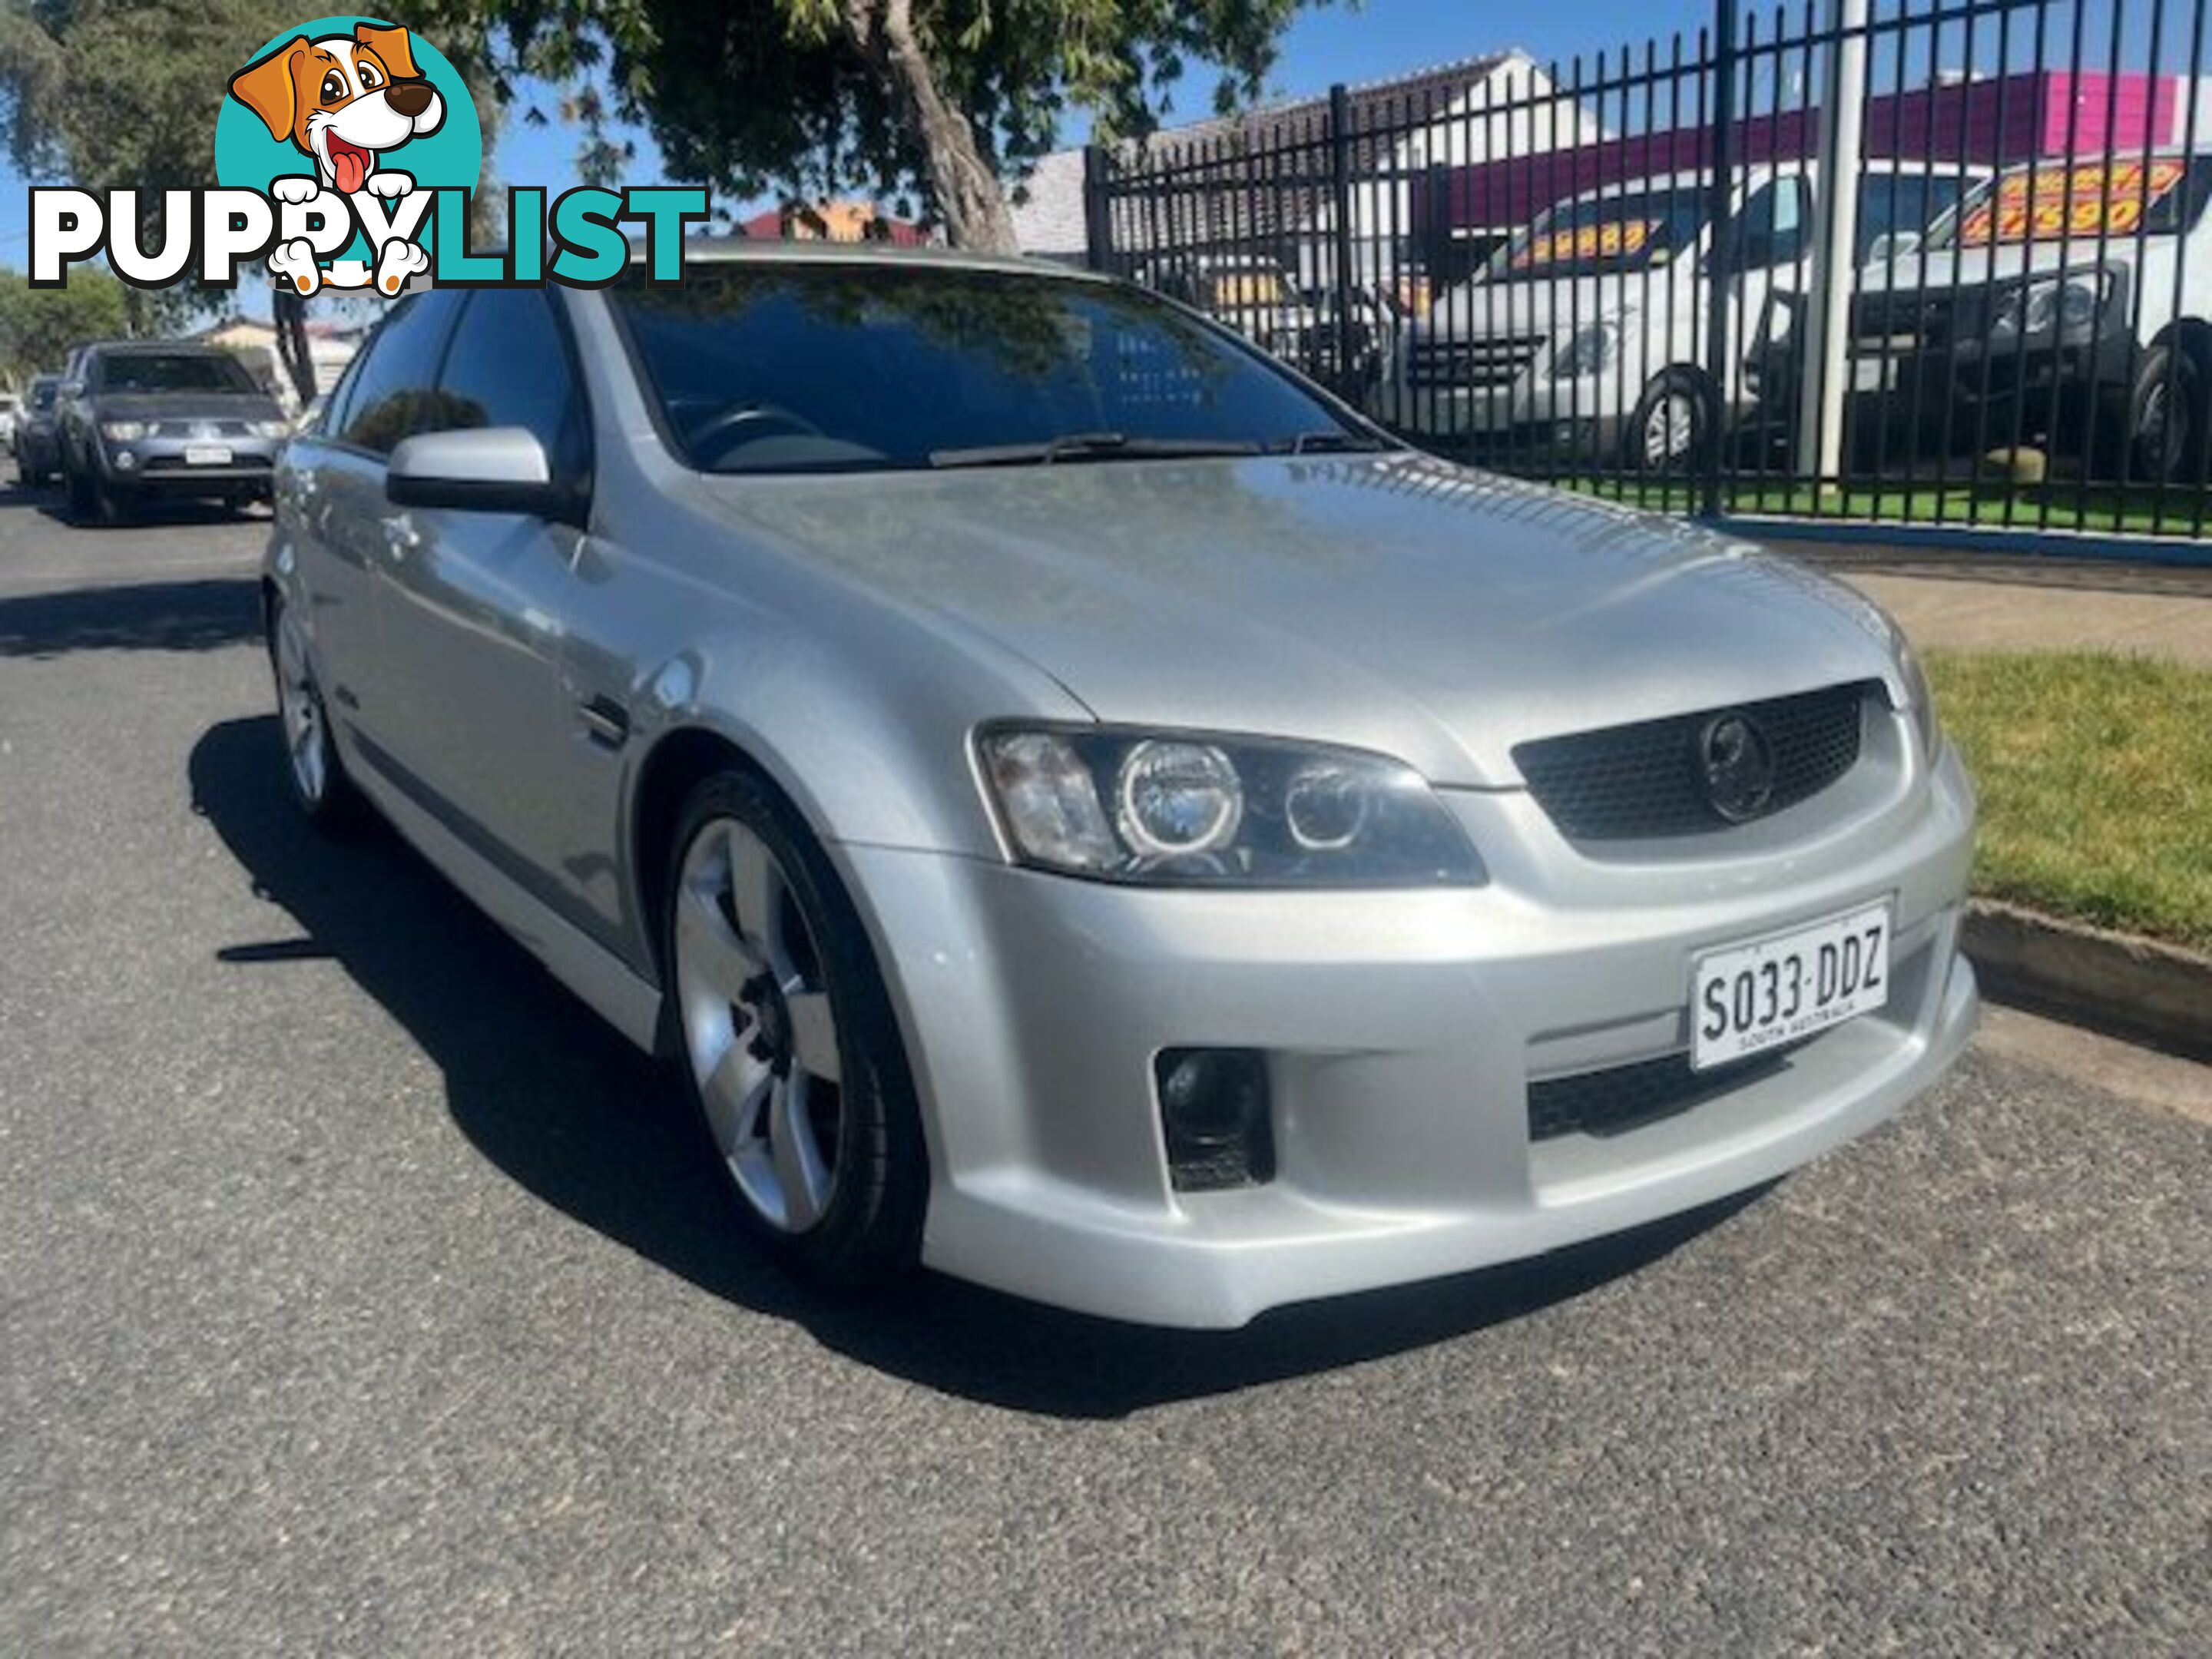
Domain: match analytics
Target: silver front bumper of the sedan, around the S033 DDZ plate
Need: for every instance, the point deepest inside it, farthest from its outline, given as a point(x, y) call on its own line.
point(1401, 1032)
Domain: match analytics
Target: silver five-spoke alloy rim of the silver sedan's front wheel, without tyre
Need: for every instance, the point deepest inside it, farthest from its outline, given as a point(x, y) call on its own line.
point(760, 1032)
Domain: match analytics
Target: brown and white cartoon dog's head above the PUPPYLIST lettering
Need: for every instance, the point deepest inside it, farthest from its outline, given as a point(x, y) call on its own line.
point(342, 101)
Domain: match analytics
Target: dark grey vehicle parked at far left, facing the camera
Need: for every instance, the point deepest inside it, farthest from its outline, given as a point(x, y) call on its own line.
point(165, 419)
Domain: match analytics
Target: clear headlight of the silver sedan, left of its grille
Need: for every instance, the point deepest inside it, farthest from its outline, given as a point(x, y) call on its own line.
point(1178, 808)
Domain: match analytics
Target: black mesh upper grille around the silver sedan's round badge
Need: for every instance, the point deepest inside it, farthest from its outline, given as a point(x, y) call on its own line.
point(1647, 780)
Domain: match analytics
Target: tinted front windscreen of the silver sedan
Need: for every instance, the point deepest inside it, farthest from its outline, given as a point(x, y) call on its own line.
point(866, 366)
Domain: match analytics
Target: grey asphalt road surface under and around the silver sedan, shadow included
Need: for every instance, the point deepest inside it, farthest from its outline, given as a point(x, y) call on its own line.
point(359, 1293)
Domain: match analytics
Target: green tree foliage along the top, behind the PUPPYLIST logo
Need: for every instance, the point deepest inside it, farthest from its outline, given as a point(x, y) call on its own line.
point(749, 96)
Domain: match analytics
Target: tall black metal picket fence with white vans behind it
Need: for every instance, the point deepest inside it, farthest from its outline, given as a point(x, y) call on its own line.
point(1631, 273)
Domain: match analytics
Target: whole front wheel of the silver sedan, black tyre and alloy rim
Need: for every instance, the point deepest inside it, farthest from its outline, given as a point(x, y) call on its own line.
point(786, 1041)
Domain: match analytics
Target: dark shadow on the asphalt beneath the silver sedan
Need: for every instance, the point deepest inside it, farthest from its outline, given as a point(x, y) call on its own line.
point(567, 1109)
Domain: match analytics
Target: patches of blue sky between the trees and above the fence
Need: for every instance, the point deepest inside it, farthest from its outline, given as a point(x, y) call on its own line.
point(1328, 45)
